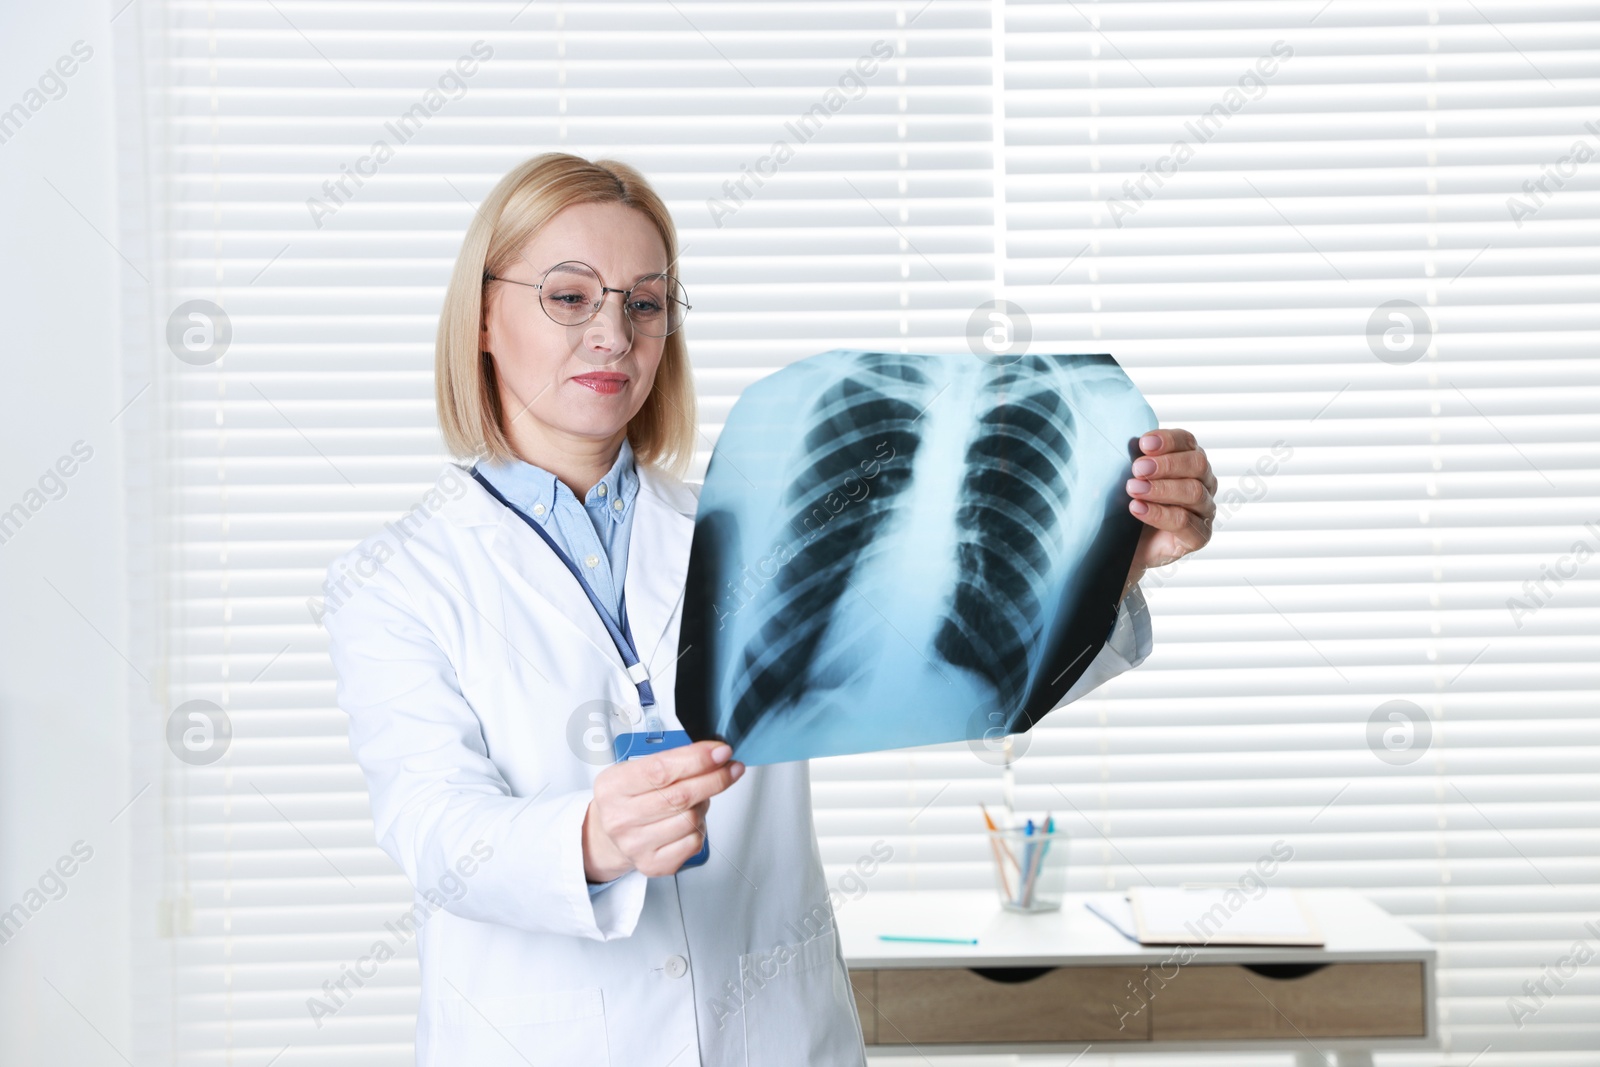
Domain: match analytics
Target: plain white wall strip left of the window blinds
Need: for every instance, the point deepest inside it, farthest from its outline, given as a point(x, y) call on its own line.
point(63, 586)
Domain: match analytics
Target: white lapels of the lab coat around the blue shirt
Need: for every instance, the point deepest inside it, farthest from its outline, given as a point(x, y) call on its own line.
point(657, 562)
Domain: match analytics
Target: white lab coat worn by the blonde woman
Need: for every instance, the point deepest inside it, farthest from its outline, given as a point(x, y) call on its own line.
point(463, 649)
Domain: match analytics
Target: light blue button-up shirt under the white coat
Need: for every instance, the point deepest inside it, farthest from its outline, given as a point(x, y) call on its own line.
point(594, 533)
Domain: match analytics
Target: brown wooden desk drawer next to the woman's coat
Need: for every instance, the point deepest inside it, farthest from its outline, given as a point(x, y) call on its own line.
point(966, 1007)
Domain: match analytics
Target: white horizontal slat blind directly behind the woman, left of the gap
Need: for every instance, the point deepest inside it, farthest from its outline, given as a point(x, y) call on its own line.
point(318, 425)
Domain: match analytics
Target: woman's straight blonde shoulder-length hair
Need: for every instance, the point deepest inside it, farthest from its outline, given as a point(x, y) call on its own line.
point(465, 383)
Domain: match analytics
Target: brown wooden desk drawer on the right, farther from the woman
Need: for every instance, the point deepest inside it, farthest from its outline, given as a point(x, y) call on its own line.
point(1335, 1001)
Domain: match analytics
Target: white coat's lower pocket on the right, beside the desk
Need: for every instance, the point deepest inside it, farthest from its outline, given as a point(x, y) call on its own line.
point(801, 1010)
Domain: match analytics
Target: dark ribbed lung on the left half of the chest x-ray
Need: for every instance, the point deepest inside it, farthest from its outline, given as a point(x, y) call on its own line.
point(850, 423)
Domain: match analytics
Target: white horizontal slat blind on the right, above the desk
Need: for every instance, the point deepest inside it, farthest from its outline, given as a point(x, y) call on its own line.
point(1382, 513)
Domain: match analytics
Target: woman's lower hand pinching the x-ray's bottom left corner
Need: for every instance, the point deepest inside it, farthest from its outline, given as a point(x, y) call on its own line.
point(650, 813)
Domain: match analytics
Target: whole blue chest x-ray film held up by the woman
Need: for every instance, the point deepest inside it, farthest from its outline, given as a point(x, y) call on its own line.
point(900, 549)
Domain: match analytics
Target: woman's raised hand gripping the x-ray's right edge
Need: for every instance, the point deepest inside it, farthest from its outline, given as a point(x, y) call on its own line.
point(1172, 492)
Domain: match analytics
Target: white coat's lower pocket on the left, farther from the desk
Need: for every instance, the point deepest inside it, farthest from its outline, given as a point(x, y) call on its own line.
point(556, 1029)
